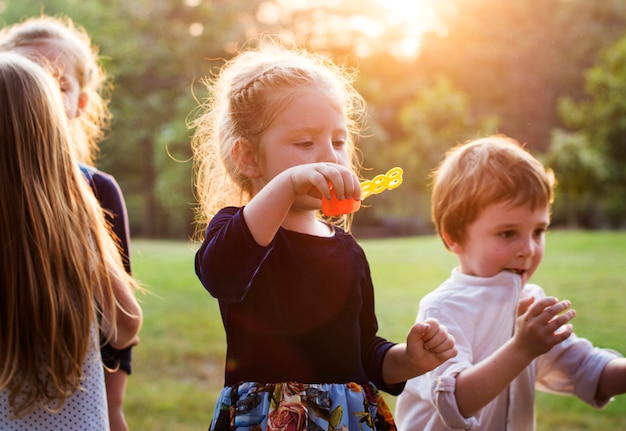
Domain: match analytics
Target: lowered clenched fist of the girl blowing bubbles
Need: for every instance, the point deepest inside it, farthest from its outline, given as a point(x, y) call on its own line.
point(428, 345)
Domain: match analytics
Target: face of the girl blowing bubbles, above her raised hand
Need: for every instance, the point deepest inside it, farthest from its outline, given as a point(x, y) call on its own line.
point(312, 128)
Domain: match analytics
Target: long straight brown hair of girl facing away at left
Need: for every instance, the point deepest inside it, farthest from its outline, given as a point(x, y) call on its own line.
point(54, 245)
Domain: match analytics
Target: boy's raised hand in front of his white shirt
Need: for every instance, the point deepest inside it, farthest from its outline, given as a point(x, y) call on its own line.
point(542, 325)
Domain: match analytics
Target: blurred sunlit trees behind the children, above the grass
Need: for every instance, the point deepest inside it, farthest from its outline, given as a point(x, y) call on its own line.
point(550, 73)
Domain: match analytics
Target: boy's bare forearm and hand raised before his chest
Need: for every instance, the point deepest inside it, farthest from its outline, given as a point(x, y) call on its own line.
point(539, 327)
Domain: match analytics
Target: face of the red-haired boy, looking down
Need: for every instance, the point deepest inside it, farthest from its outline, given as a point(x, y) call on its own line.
point(504, 238)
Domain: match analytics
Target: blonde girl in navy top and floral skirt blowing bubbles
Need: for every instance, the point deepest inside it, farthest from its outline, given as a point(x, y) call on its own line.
point(295, 290)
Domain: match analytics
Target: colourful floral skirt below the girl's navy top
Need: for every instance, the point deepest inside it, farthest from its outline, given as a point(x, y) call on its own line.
point(301, 407)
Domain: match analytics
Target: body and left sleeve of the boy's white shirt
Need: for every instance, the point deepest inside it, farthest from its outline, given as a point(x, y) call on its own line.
point(480, 314)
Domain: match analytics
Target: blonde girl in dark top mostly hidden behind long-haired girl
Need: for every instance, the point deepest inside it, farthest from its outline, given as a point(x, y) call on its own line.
point(66, 51)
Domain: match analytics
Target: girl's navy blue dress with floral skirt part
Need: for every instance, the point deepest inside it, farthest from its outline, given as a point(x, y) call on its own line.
point(300, 327)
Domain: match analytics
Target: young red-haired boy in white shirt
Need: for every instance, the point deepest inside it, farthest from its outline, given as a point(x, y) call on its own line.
point(491, 205)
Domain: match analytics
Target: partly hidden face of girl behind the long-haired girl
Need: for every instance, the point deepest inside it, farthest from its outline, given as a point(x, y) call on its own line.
point(63, 70)
